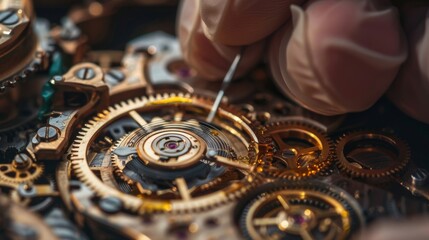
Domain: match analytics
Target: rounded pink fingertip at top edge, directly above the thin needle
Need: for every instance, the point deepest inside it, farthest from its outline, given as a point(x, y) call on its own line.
point(243, 22)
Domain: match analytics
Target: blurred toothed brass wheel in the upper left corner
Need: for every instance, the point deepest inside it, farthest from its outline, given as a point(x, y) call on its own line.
point(27, 46)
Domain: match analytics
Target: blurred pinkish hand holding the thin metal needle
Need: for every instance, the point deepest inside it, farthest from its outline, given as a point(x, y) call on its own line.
point(330, 56)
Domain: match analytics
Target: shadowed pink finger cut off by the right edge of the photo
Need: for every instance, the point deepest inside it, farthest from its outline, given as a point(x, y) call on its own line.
point(410, 91)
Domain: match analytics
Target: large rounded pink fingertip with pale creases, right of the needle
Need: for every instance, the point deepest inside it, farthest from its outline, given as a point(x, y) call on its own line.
point(338, 56)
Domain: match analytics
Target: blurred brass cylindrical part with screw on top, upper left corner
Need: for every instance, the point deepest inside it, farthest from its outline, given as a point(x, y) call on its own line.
point(20, 46)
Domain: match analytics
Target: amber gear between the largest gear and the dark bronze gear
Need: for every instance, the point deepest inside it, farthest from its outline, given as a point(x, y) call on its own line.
point(301, 150)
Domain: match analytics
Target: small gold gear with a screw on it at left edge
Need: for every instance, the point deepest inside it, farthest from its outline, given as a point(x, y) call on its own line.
point(21, 170)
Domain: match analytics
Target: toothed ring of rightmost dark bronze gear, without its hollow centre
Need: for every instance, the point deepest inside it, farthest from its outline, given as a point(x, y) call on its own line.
point(383, 174)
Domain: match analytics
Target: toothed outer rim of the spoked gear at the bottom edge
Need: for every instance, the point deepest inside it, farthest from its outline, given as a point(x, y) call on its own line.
point(322, 196)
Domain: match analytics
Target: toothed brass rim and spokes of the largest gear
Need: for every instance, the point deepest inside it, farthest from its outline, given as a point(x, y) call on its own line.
point(204, 199)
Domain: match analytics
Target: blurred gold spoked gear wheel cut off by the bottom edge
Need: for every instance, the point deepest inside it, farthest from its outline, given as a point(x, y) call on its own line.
point(299, 210)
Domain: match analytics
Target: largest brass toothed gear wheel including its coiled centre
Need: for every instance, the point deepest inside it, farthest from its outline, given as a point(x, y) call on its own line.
point(172, 160)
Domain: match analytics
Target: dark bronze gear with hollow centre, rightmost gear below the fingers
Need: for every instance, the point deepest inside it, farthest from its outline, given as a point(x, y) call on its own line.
point(371, 154)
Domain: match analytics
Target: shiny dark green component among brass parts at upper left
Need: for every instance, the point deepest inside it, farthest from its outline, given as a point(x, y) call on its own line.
point(48, 90)
